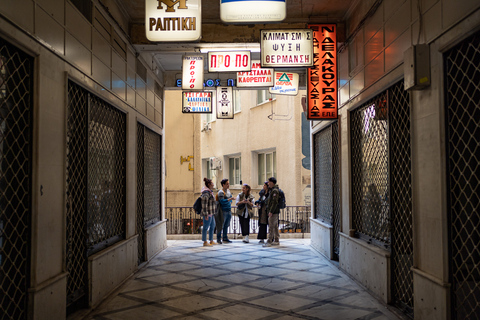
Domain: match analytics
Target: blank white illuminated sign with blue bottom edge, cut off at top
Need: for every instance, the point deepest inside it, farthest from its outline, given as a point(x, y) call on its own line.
point(252, 11)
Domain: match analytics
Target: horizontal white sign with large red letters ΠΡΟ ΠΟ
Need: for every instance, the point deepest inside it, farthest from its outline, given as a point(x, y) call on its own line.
point(229, 61)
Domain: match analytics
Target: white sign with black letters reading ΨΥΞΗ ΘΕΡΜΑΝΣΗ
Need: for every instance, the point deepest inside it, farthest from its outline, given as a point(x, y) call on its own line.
point(286, 48)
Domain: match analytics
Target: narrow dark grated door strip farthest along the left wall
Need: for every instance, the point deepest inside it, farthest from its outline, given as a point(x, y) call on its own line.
point(140, 191)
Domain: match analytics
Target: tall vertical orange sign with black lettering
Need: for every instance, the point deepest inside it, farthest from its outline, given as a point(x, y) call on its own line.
point(322, 88)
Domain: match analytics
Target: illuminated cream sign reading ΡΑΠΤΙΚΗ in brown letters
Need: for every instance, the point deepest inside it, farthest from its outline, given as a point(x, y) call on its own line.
point(169, 20)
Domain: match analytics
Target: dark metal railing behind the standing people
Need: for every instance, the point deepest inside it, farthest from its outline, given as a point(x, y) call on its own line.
point(184, 220)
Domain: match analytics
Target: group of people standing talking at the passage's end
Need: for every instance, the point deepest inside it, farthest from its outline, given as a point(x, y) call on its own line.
point(217, 211)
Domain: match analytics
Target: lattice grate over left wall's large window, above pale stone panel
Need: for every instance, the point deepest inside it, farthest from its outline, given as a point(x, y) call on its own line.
point(106, 175)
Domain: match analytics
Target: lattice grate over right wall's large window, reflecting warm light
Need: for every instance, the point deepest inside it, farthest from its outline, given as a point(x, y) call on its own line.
point(369, 136)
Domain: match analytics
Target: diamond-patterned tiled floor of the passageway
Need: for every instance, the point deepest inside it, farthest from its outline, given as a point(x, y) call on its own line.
point(240, 281)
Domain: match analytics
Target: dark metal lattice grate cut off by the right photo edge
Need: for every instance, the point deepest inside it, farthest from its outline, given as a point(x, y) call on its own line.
point(463, 149)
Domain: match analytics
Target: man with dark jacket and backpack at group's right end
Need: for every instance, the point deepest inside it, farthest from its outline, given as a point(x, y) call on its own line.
point(273, 209)
